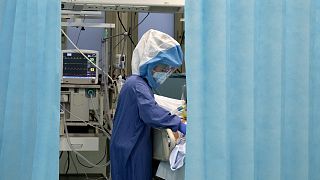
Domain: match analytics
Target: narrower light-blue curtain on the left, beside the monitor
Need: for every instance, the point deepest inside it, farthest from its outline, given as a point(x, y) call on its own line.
point(29, 90)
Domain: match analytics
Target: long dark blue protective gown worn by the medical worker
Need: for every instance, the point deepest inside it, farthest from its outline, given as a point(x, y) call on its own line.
point(131, 142)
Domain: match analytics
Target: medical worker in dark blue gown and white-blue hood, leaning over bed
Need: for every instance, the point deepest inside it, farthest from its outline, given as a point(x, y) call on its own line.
point(156, 56)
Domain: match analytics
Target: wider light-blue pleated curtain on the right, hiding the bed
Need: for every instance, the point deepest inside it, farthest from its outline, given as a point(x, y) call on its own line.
point(253, 77)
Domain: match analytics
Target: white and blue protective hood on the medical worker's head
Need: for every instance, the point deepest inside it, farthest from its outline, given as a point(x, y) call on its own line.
point(155, 48)
